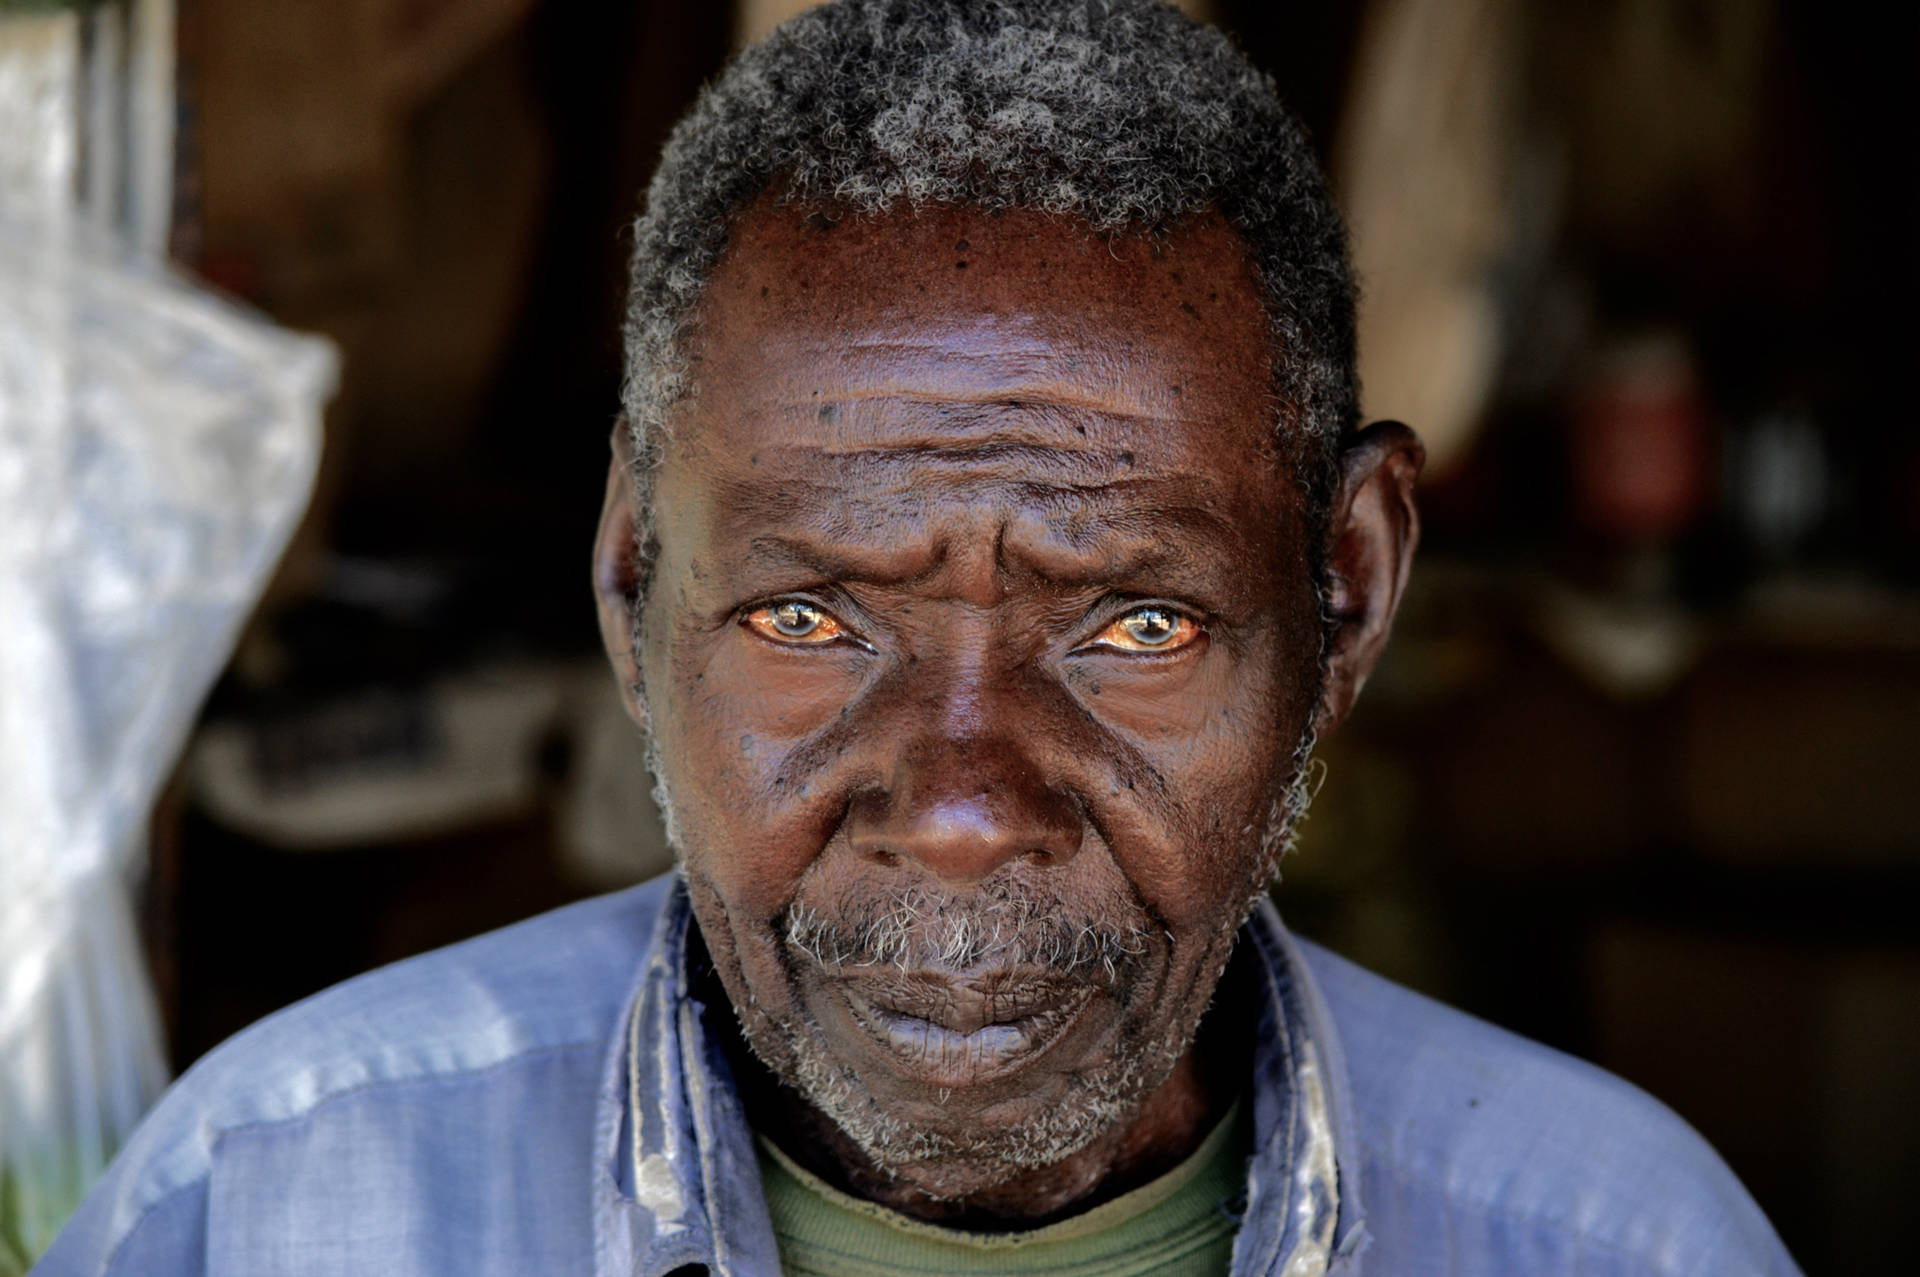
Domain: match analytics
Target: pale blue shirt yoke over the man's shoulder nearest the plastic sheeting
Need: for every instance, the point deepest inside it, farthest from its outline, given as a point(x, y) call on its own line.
point(537, 990)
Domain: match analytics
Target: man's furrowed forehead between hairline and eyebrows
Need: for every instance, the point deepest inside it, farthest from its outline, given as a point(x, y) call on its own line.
point(961, 356)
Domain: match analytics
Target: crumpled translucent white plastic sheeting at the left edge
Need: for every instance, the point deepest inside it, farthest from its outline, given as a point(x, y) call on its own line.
point(156, 450)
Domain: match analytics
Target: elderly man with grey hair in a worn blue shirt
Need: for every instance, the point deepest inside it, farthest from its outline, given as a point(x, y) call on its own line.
point(990, 539)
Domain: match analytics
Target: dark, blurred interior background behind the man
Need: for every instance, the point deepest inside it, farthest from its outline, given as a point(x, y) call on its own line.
point(1637, 777)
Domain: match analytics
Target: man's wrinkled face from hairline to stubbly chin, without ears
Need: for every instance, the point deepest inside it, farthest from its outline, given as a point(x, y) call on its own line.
point(978, 652)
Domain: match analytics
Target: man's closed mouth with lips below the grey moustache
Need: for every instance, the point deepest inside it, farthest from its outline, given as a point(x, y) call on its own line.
point(963, 1032)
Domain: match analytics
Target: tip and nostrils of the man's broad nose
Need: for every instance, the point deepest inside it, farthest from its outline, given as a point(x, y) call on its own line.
point(963, 807)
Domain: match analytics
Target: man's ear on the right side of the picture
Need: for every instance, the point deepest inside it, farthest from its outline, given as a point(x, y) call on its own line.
point(1374, 531)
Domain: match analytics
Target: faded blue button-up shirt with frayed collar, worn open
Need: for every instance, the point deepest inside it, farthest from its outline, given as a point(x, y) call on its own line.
point(550, 1099)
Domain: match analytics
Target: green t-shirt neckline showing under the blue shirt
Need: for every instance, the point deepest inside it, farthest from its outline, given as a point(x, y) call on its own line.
point(1178, 1224)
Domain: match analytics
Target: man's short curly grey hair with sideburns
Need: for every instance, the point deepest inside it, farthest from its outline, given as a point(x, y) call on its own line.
point(1124, 114)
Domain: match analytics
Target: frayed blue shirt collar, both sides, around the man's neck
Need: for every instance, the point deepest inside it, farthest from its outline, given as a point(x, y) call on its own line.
point(675, 1163)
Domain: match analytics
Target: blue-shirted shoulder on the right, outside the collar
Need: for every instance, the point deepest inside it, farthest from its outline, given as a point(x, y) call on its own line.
point(1518, 1153)
